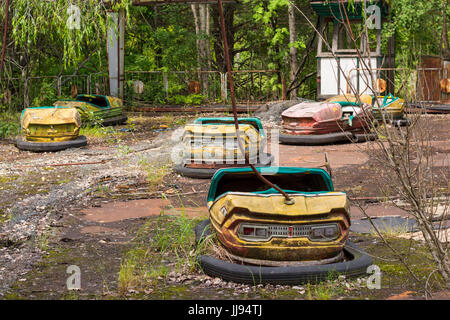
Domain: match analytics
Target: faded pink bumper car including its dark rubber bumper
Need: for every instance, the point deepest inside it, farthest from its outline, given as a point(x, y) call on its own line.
point(335, 120)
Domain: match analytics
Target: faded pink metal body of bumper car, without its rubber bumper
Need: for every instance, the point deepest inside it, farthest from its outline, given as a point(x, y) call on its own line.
point(326, 117)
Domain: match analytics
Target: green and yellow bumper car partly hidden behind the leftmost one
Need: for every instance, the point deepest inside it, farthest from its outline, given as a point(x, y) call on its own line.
point(105, 109)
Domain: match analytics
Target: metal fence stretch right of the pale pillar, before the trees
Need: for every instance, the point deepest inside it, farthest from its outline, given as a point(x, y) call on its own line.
point(187, 87)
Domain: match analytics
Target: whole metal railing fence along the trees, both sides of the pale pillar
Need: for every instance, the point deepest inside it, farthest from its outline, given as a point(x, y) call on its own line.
point(144, 88)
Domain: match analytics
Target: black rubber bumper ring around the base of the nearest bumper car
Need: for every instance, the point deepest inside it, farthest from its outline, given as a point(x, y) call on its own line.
point(254, 275)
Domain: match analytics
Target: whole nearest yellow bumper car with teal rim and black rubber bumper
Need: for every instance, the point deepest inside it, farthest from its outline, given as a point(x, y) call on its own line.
point(269, 240)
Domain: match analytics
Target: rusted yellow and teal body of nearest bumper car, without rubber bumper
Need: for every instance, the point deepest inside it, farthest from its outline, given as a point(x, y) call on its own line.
point(238, 201)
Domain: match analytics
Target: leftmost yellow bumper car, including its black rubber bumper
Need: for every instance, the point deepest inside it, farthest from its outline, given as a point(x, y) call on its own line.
point(50, 129)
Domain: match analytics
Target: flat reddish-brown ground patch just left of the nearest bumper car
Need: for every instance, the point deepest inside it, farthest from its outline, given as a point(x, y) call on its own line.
point(117, 211)
